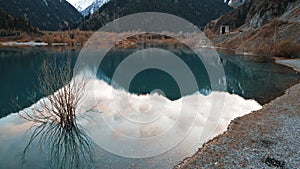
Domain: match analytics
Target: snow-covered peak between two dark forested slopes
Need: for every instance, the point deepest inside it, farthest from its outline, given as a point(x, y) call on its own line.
point(86, 7)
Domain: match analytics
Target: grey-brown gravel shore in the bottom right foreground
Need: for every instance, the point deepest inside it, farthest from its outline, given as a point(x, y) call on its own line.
point(268, 138)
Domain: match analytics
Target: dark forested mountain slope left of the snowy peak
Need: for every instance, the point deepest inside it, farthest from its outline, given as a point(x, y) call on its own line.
point(43, 14)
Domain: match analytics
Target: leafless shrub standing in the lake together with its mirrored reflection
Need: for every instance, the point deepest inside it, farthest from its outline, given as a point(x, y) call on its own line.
point(55, 117)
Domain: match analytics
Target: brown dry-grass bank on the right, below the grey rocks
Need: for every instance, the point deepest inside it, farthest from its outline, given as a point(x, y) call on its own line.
point(276, 38)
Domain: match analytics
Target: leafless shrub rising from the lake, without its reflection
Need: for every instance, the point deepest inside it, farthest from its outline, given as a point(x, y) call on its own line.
point(63, 95)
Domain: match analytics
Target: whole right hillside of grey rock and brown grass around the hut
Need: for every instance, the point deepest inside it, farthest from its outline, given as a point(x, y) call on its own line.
point(268, 28)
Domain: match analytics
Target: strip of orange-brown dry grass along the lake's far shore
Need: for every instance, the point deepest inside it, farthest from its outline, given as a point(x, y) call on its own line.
point(78, 38)
